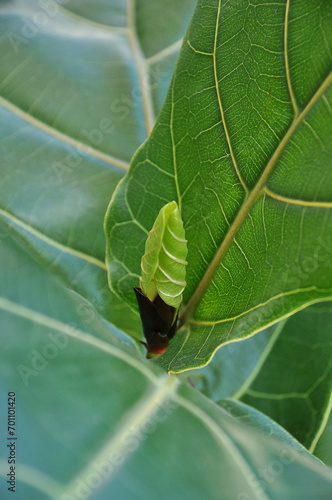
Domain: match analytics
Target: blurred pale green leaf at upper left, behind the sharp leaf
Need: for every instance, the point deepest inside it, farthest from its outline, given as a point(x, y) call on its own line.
point(77, 98)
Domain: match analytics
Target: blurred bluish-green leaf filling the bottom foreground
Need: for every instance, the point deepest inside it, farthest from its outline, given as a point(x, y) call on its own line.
point(106, 424)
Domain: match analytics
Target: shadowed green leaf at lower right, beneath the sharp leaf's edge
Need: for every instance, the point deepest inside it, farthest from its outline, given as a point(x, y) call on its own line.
point(285, 372)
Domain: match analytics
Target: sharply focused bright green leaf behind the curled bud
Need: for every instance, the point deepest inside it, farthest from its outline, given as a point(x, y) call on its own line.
point(243, 144)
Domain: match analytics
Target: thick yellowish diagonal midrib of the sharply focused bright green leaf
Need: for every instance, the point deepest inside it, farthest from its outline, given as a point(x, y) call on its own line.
point(248, 203)
